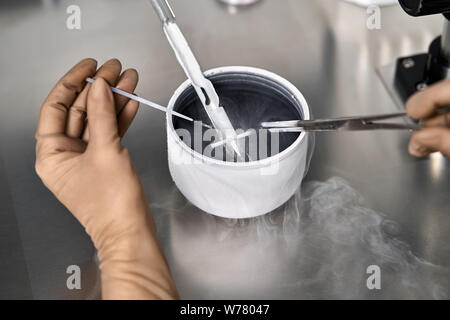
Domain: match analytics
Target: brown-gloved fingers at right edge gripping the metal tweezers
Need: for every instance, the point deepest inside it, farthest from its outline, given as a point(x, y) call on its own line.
point(431, 107)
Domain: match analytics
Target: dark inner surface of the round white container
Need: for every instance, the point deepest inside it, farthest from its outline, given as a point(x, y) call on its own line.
point(249, 99)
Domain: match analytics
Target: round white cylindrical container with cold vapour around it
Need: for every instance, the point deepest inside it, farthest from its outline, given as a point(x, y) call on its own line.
point(239, 190)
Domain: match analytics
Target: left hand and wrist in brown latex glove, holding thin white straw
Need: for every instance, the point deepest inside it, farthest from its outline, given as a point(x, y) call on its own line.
point(85, 166)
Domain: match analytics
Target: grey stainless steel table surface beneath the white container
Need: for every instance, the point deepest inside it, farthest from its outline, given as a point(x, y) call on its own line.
point(321, 46)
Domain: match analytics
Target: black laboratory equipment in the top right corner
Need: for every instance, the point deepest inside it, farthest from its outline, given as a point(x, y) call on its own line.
point(416, 72)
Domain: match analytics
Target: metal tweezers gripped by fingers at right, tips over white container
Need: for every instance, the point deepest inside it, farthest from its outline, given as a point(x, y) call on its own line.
point(342, 124)
